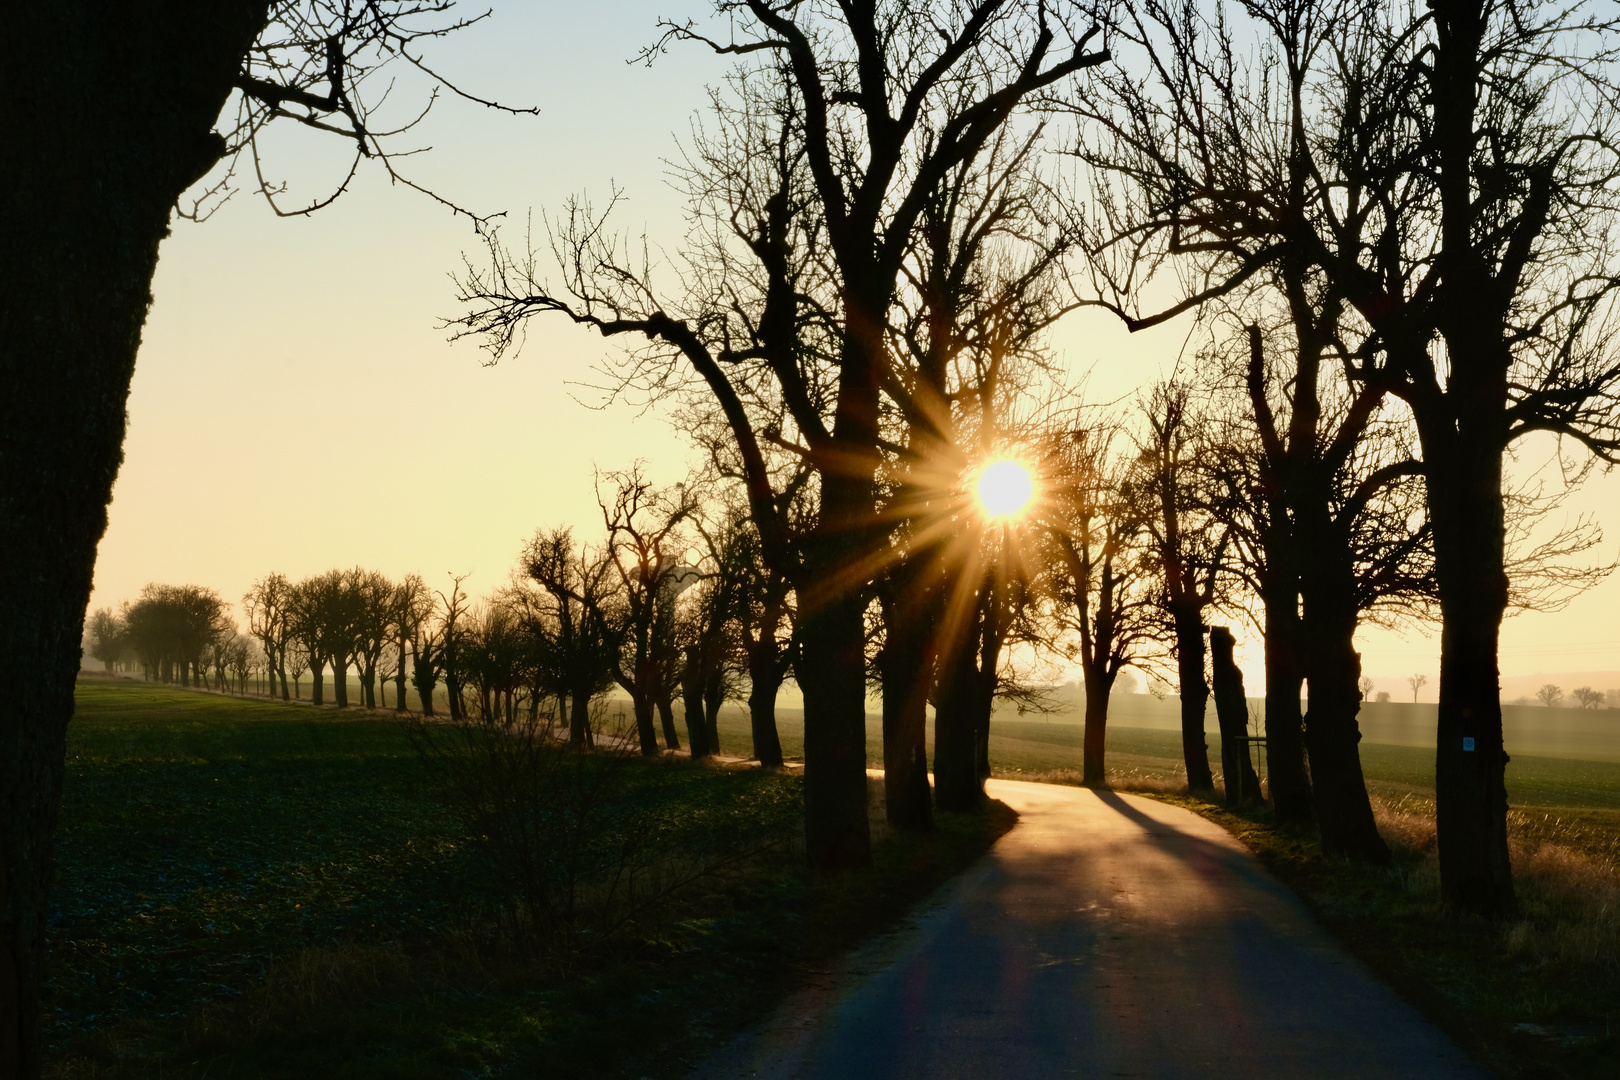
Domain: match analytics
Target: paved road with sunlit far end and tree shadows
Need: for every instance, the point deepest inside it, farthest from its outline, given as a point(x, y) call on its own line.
point(1106, 937)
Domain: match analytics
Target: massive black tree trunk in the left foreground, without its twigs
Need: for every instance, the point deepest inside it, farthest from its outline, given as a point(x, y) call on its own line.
point(106, 127)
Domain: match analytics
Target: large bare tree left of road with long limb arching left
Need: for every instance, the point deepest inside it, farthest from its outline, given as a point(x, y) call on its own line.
point(872, 106)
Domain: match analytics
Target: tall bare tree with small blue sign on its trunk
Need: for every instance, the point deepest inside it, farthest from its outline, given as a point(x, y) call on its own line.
point(1373, 145)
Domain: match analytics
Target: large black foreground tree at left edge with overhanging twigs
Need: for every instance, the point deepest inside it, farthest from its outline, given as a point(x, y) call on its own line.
point(119, 116)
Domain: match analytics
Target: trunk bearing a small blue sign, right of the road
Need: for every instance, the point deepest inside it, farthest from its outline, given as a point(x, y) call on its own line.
point(1465, 433)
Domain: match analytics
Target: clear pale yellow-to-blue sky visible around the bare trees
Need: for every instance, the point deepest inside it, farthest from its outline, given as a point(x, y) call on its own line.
point(297, 404)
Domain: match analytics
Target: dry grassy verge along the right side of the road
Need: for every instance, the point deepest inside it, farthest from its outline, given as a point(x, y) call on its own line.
point(1535, 998)
